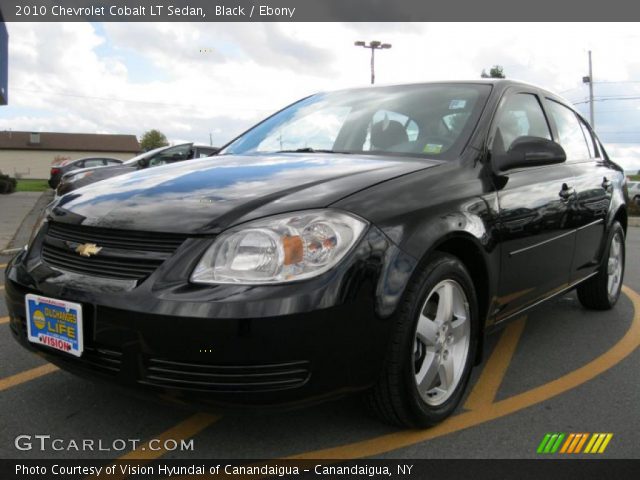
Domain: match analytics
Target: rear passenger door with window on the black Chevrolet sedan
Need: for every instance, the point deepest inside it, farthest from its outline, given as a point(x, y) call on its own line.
point(593, 184)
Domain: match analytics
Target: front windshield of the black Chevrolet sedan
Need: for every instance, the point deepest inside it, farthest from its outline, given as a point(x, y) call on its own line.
point(431, 120)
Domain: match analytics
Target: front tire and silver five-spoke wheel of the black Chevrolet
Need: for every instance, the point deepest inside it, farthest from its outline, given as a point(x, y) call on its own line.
point(408, 392)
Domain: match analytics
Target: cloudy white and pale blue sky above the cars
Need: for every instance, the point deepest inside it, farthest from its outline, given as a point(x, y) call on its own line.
point(202, 81)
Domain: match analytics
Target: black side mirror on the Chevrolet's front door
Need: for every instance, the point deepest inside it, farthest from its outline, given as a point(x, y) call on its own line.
point(529, 152)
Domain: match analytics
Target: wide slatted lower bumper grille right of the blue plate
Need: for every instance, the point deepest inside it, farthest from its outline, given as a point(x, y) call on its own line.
point(226, 378)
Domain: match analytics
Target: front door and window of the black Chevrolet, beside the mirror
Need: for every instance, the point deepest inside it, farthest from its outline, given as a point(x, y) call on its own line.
point(536, 239)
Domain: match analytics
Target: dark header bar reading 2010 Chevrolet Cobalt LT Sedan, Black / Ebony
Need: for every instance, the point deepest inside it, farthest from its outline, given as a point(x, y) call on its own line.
point(317, 10)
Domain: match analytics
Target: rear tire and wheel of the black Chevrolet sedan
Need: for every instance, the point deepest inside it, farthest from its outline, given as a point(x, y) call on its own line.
point(601, 292)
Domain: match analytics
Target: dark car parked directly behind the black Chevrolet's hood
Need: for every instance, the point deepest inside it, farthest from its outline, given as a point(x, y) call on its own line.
point(152, 158)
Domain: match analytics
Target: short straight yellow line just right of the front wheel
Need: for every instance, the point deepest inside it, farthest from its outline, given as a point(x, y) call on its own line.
point(485, 390)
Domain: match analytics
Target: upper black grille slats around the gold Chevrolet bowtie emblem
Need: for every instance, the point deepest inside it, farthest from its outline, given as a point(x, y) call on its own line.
point(126, 255)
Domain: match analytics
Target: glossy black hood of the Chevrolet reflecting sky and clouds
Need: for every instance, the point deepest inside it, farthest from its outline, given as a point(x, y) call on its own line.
point(208, 195)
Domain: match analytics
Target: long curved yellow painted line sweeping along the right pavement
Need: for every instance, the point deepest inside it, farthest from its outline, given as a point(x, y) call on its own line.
point(394, 441)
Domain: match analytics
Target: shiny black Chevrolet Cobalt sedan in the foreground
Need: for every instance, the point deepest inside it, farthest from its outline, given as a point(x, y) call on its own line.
point(362, 240)
